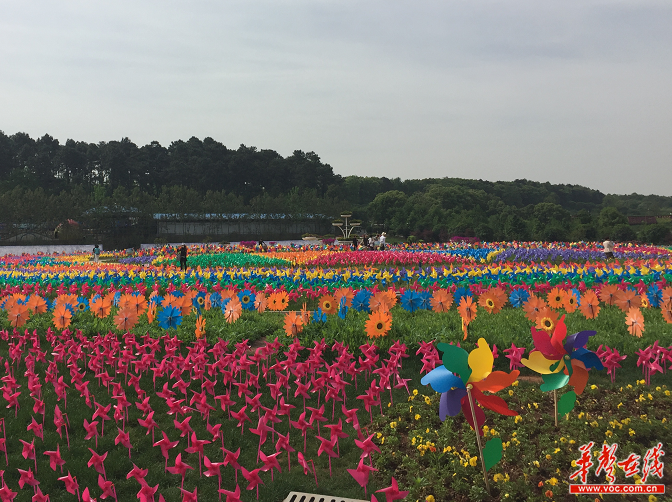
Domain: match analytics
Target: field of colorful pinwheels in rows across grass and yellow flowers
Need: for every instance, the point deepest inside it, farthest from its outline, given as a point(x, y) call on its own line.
point(326, 370)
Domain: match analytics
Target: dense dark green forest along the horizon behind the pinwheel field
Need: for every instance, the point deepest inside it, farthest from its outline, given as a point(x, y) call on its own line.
point(44, 182)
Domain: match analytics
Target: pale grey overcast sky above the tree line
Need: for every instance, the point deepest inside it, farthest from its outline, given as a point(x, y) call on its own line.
point(571, 91)
